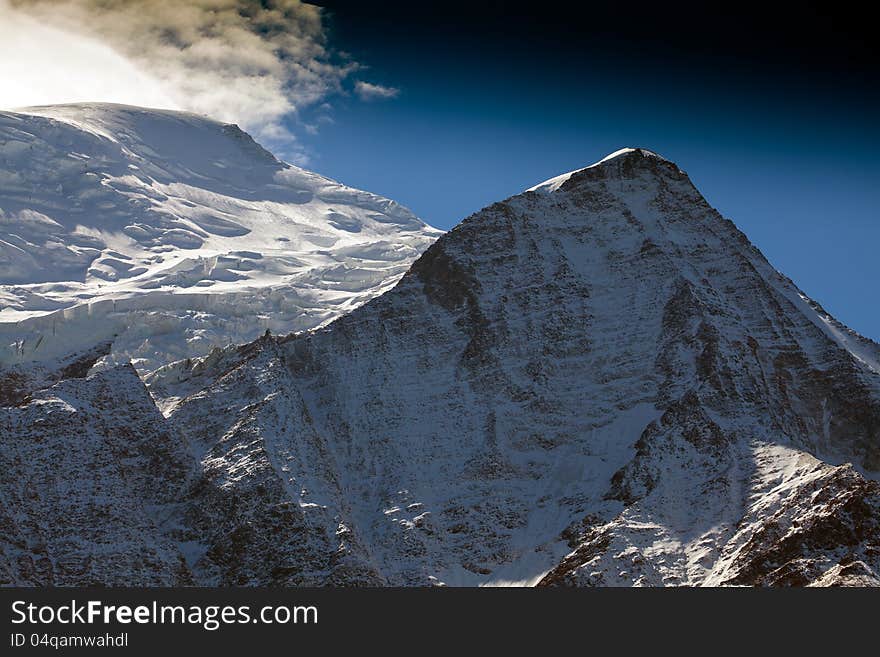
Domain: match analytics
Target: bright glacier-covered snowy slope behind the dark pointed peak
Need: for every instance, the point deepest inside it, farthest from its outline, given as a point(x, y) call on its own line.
point(169, 234)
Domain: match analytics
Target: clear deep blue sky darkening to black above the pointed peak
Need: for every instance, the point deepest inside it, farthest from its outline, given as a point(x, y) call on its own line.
point(774, 116)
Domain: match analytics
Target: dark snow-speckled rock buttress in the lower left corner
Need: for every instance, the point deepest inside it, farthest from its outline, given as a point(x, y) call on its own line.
point(90, 473)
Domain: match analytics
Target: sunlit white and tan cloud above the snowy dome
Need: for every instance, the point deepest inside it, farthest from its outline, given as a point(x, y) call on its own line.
point(255, 63)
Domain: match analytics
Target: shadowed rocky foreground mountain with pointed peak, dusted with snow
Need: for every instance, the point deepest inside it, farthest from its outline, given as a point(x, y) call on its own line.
point(599, 381)
